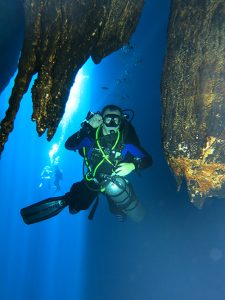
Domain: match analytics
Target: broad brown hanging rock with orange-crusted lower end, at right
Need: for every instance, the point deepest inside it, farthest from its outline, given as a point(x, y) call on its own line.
point(193, 97)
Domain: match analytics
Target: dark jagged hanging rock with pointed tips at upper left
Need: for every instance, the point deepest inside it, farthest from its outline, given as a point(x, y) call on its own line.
point(60, 36)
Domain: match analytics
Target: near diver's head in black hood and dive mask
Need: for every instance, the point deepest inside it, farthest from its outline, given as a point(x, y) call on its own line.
point(112, 116)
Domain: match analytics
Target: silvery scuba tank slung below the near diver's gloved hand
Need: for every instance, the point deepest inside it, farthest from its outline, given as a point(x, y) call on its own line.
point(120, 192)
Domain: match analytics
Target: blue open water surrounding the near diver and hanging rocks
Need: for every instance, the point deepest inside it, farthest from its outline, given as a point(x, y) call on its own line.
point(176, 253)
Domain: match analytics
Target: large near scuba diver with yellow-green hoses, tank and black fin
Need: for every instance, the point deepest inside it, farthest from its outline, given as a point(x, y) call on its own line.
point(111, 150)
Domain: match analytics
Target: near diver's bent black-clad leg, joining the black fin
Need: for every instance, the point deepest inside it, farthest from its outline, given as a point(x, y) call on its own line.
point(80, 196)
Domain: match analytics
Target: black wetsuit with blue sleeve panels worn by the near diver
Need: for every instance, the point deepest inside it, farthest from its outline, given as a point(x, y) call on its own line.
point(126, 149)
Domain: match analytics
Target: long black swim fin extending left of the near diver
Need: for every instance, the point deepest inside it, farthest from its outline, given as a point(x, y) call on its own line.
point(43, 210)
